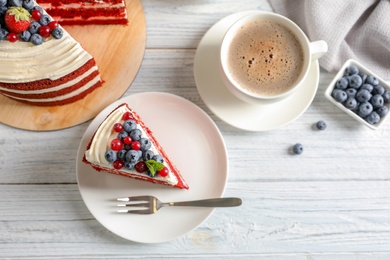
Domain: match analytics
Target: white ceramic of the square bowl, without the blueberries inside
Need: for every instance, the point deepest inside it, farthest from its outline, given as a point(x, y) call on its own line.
point(362, 69)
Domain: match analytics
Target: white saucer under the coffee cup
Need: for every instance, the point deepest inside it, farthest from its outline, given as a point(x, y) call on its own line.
point(234, 111)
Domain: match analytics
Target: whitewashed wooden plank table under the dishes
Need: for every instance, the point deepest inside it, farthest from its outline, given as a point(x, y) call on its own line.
point(331, 202)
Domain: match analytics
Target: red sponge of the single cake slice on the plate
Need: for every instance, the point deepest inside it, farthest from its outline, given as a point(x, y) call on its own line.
point(181, 182)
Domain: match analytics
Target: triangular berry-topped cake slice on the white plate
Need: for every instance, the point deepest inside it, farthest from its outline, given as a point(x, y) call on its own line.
point(124, 145)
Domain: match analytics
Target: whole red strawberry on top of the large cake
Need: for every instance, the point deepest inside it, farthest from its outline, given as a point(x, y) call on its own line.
point(17, 19)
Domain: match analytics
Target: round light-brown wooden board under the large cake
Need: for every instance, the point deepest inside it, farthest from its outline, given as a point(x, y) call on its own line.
point(118, 51)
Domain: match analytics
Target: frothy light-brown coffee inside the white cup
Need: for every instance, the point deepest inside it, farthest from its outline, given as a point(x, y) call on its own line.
point(265, 58)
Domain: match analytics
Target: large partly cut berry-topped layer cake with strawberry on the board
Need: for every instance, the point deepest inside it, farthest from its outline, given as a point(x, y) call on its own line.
point(40, 63)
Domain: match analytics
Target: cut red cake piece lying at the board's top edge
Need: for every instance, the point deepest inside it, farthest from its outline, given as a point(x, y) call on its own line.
point(77, 12)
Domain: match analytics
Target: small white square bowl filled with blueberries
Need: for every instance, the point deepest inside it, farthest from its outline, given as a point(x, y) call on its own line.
point(361, 94)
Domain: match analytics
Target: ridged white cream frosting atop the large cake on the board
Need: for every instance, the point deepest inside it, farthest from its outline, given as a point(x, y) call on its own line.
point(24, 62)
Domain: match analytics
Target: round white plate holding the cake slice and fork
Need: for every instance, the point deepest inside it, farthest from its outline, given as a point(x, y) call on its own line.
point(195, 145)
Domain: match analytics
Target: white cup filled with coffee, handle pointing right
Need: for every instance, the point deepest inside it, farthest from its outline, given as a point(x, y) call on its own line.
point(257, 79)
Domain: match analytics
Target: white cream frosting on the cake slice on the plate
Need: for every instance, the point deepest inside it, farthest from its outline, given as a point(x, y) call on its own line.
point(101, 143)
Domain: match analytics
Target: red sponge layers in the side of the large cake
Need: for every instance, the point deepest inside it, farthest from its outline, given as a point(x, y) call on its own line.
point(47, 84)
